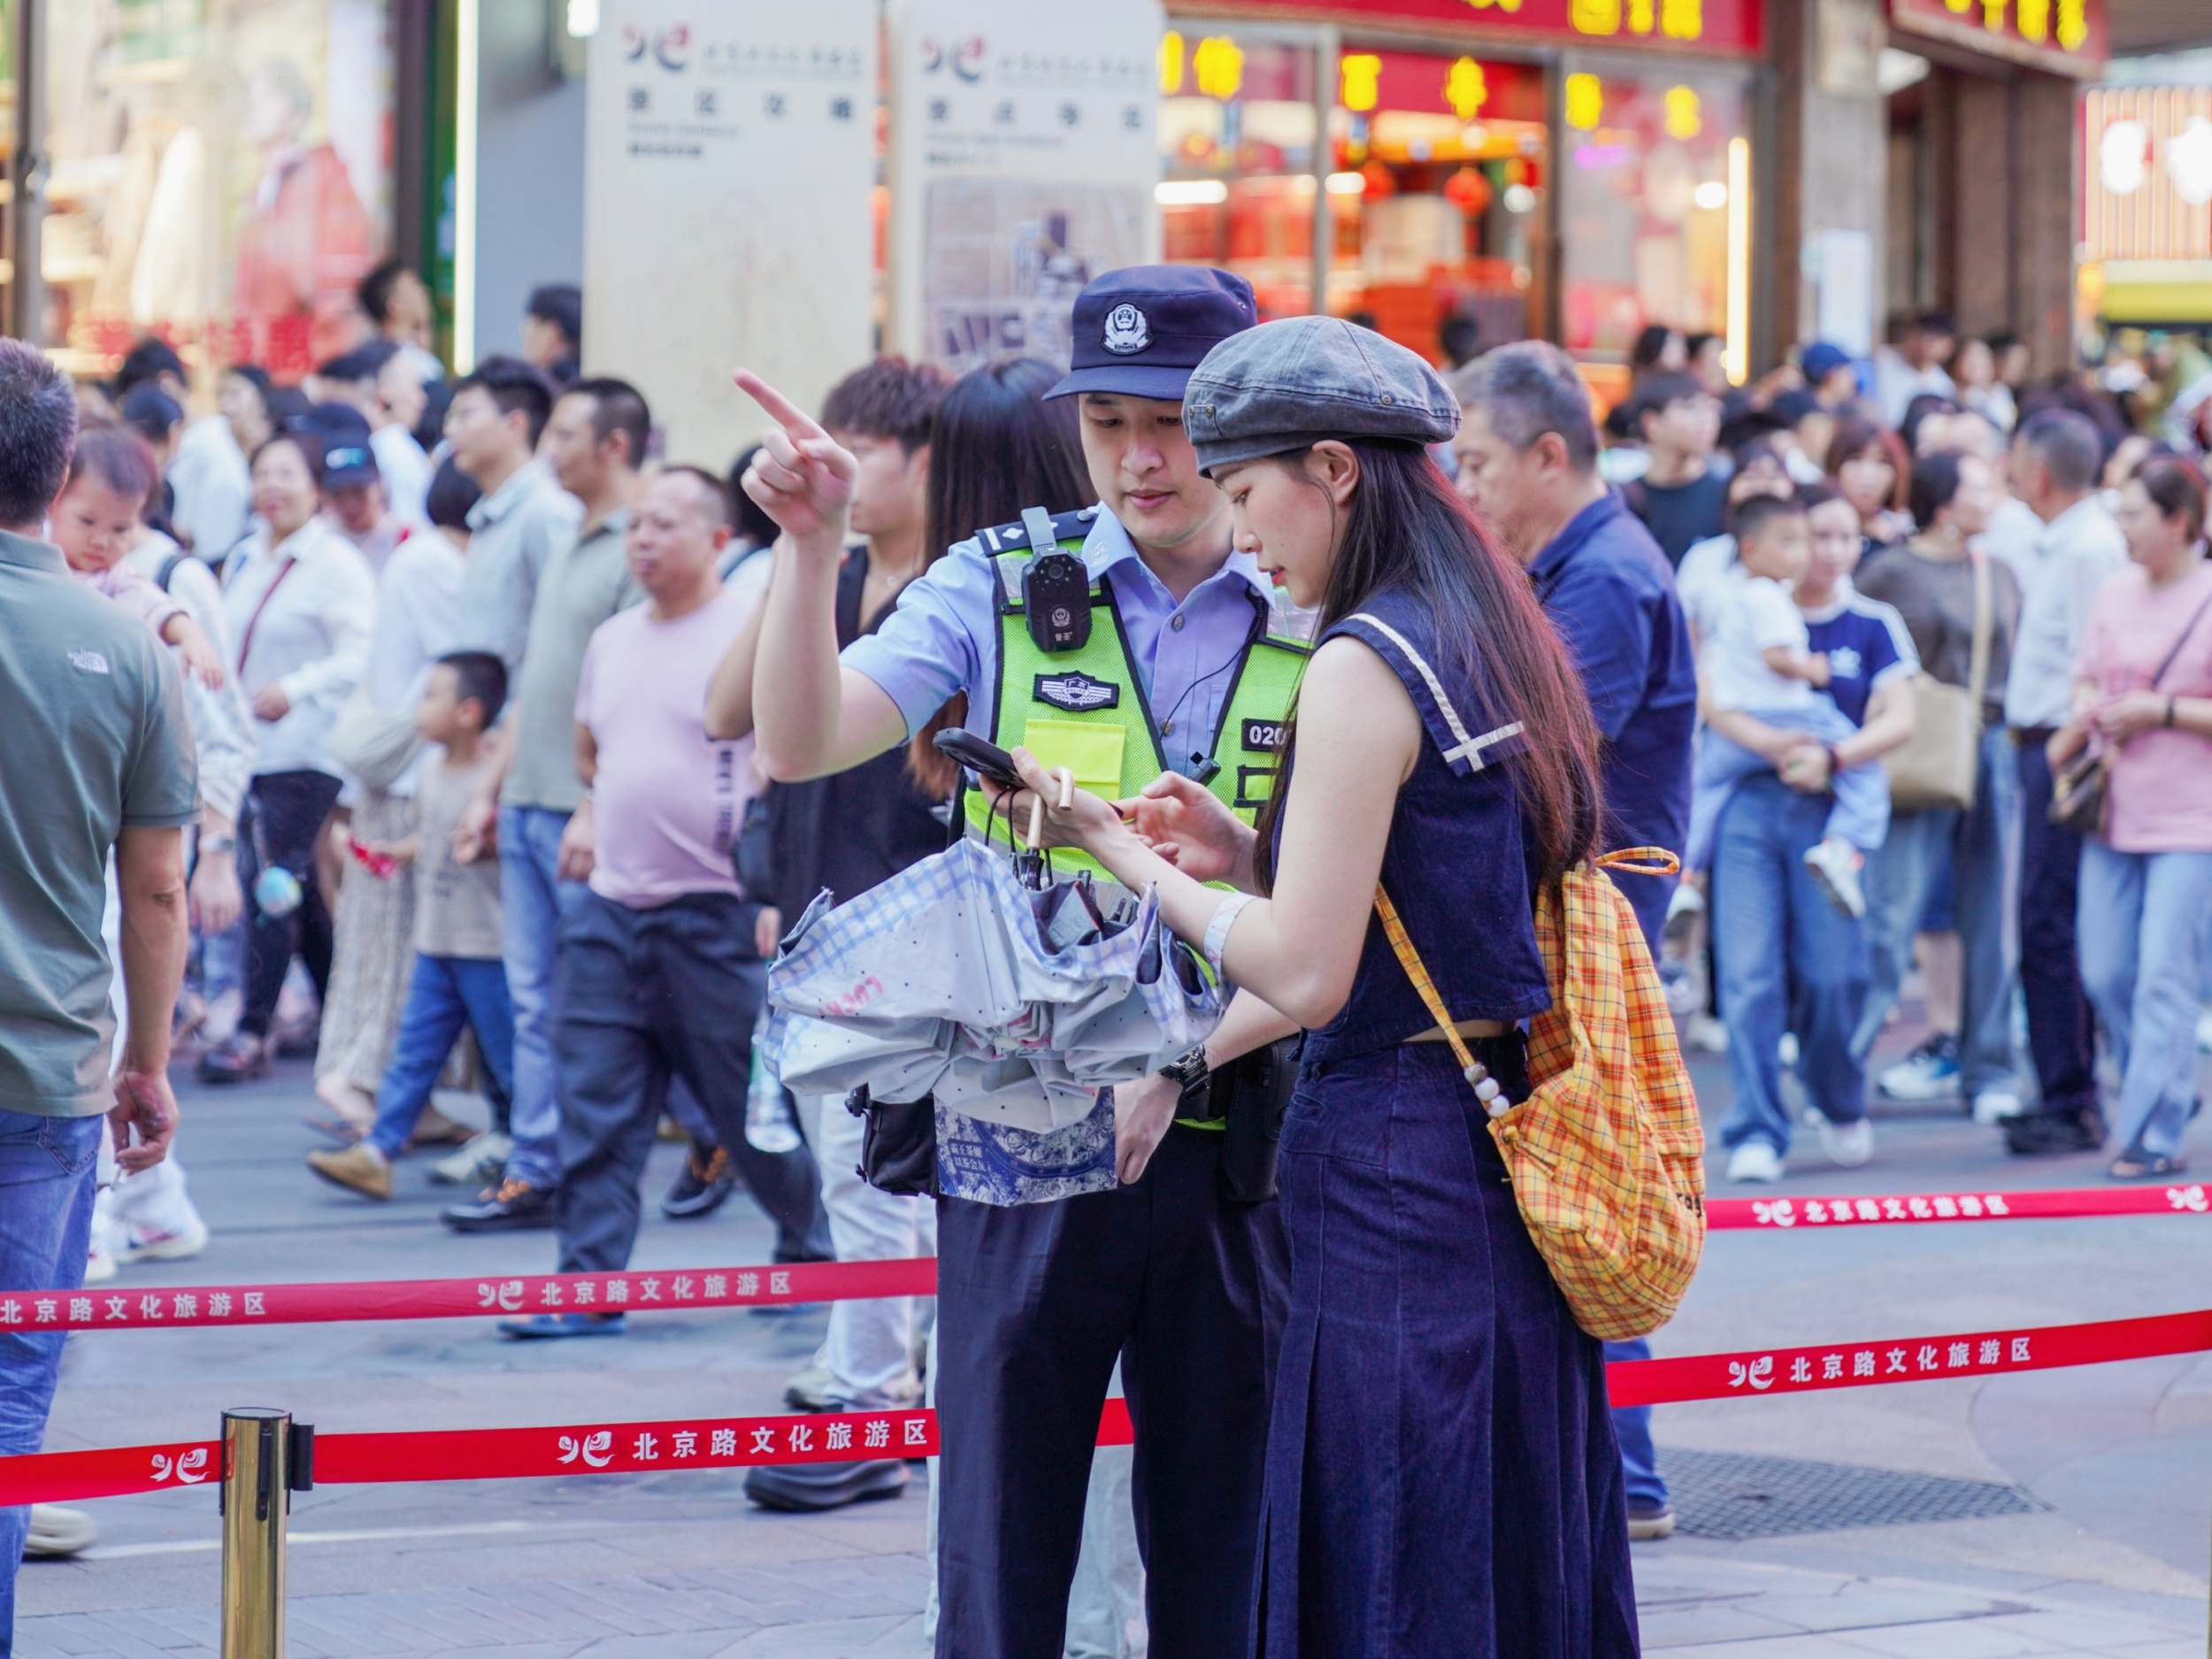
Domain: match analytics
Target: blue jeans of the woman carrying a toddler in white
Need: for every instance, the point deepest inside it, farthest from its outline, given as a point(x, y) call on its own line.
point(1788, 961)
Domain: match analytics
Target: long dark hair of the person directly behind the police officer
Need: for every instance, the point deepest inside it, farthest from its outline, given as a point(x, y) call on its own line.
point(997, 450)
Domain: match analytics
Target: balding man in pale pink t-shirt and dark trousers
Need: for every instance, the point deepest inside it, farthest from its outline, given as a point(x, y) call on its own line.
point(658, 972)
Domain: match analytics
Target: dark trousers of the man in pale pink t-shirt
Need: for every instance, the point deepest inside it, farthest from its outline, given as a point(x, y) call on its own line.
point(643, 997)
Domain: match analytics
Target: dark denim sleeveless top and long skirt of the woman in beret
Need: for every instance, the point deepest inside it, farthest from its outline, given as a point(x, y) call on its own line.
point(1441, 1472)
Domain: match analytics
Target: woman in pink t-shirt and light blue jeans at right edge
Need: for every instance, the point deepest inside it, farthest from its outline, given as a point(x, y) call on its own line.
point(2145, 720)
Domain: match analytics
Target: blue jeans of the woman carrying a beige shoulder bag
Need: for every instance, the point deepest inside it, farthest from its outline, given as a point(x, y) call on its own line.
point(1983, 846)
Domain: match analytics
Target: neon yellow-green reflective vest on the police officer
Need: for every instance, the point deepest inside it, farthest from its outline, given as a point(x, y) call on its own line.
point(1089, 713)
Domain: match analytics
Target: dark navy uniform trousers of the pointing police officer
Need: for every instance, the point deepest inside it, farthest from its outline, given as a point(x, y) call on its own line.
point(1036, 1304)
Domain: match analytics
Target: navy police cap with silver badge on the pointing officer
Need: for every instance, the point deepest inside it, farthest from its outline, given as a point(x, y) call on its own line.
point(1142, 331)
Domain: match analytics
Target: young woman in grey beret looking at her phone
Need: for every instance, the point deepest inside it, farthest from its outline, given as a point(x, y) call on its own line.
point(1441, 1470)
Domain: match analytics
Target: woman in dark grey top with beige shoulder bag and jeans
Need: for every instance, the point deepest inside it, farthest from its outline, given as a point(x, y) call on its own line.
point(1957, 786)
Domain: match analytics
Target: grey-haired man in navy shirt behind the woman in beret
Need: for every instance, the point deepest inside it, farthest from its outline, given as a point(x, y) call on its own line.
point(1527, 457)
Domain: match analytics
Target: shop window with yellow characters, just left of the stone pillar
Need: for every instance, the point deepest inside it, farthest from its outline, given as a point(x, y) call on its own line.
point(1656, 220)
